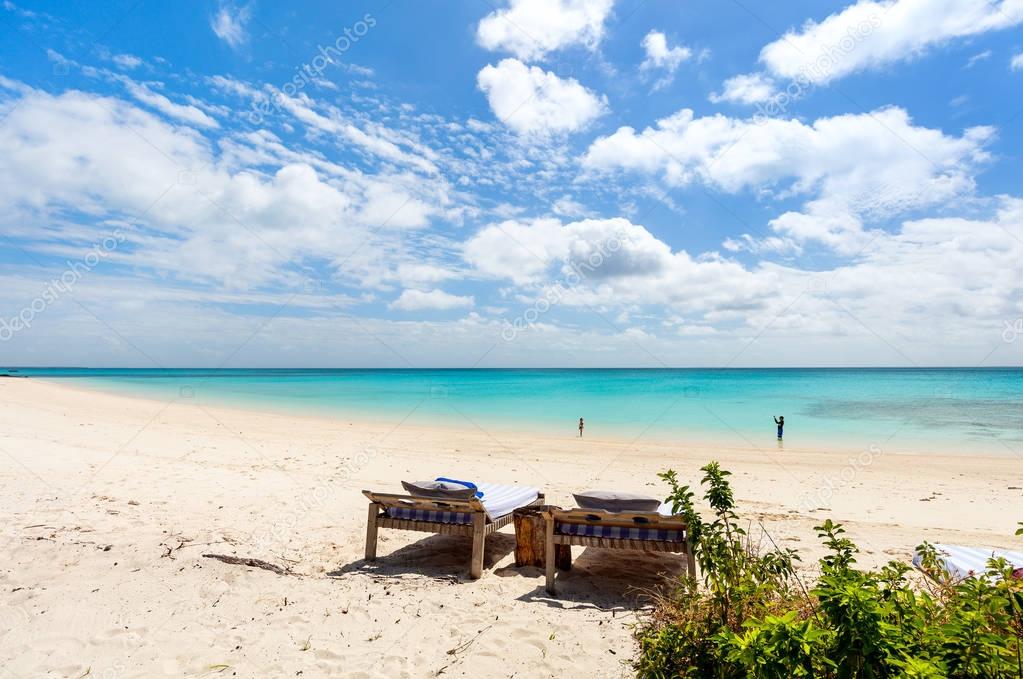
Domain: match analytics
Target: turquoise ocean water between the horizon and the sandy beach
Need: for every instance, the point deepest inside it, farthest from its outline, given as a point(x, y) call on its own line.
point(967, 412)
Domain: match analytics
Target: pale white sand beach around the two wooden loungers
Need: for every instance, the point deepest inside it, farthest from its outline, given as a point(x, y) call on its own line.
point(109, 504)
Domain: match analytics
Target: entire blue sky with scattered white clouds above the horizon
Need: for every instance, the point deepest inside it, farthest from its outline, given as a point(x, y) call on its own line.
point(504, 184)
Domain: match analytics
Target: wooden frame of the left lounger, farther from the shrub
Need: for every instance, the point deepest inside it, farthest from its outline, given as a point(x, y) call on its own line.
point(482, 525)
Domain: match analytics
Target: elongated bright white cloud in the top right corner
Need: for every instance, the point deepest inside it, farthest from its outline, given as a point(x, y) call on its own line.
point(871, 35)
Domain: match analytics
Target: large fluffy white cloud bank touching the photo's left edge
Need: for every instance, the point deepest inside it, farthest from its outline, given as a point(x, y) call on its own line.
point(187, 212)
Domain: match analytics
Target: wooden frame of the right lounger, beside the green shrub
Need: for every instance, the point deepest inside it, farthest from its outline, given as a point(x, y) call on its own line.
point(646, 520)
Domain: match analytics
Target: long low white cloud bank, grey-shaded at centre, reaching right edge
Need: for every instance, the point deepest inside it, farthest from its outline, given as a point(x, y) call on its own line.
point(932, 290)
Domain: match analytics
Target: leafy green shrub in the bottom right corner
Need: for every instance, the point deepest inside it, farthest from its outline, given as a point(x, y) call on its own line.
point(750, 615)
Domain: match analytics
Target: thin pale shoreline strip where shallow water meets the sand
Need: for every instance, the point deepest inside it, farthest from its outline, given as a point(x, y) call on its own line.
point(704, 439)
